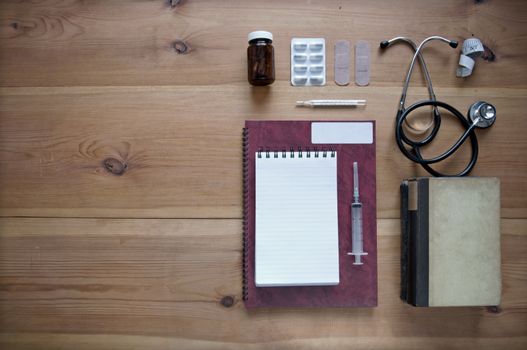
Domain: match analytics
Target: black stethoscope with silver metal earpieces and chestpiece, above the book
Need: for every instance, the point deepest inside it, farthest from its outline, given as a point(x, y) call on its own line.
point(480, 115)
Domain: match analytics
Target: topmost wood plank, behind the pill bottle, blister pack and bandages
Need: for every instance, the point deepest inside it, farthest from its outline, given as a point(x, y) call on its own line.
point(131, 43)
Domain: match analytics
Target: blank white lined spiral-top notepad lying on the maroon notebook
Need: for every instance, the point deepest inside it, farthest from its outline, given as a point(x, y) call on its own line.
point(296, 238)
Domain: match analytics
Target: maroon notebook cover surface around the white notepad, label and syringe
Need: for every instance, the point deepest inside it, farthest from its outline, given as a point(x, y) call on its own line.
point(358, 283)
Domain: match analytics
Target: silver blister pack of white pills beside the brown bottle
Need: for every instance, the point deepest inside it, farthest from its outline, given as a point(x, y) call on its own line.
point(308, 61)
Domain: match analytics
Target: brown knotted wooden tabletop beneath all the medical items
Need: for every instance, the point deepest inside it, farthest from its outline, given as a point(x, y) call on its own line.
point(120, 169)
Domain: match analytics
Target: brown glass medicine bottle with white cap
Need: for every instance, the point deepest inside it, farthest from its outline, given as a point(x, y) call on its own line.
point(260, 58)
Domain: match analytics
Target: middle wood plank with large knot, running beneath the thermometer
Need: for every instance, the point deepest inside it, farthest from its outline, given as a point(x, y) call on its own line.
point(182, 147)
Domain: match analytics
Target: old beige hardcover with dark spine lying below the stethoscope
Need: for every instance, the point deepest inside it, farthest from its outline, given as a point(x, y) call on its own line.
point(450, 241)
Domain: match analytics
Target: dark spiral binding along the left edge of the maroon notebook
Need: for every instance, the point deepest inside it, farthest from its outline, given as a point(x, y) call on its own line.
point(245, 169)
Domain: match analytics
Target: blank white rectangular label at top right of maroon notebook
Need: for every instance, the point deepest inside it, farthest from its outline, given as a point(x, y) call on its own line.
point(342, 132)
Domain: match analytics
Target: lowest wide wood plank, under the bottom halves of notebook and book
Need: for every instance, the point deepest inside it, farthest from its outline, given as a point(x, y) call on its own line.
point(158, 283)
